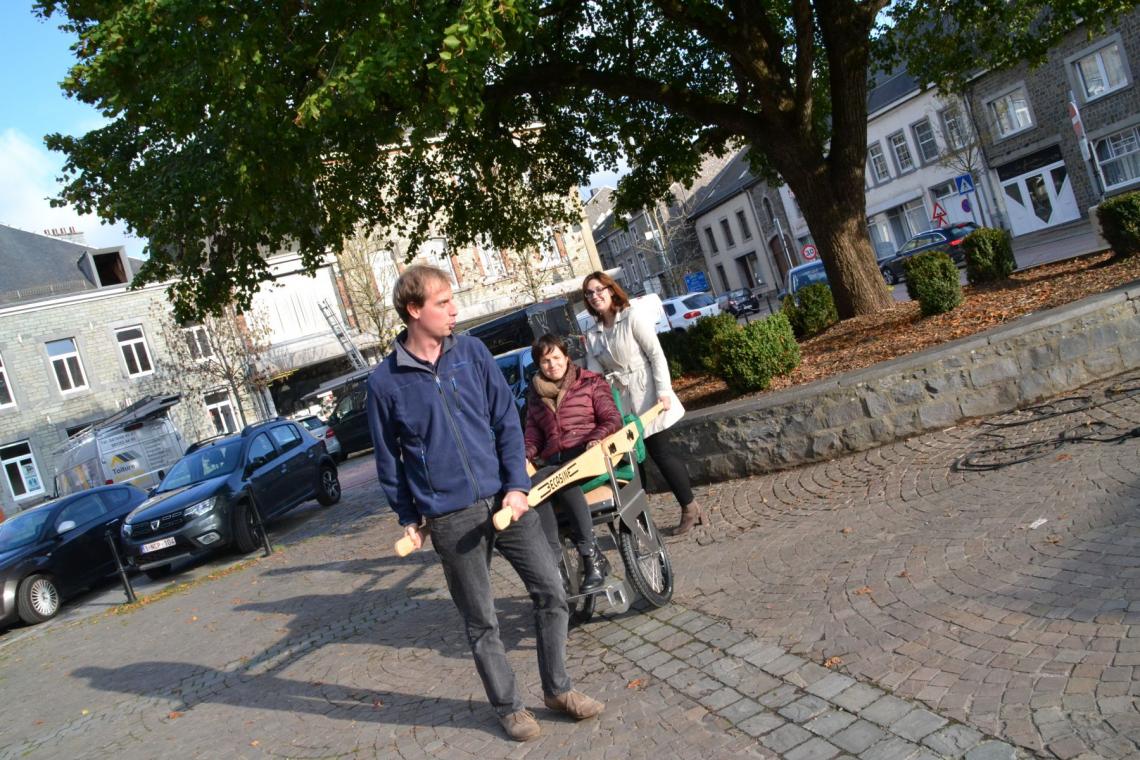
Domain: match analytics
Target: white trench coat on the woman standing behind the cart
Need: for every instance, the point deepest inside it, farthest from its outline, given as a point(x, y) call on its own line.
point(631, 358)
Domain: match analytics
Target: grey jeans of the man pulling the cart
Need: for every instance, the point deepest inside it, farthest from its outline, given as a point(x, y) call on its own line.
point(465, 541)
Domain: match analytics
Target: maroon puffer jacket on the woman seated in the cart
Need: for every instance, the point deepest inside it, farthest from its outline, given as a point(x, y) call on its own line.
point(587, 414)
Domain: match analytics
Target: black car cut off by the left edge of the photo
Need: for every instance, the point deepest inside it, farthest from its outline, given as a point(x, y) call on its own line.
point(51, 552)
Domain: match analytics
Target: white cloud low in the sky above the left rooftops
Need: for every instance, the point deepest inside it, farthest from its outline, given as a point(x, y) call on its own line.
point(28, 179)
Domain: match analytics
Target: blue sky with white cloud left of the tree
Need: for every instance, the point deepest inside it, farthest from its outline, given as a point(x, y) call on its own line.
point(35, 58)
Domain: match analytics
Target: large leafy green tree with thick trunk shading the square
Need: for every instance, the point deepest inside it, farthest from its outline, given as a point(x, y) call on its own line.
point(248, 126)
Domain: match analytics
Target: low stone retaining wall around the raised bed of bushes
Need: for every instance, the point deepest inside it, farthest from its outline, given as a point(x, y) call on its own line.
point(1028, 361)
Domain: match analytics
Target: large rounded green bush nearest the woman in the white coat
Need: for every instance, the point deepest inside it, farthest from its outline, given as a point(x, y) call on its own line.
point(748, 358)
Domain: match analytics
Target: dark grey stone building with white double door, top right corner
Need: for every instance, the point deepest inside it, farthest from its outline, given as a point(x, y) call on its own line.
point(1043, 173)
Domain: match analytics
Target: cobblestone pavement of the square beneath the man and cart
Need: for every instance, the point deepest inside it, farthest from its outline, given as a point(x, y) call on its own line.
point(949, 624)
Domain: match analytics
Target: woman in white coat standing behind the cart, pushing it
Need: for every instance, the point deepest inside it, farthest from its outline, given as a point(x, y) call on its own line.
point(623, 347)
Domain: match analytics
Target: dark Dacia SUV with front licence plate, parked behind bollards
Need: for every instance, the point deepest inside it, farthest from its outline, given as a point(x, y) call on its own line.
point(203, 504)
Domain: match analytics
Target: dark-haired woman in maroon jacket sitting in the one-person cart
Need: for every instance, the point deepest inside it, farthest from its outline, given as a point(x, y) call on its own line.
point(568, 410)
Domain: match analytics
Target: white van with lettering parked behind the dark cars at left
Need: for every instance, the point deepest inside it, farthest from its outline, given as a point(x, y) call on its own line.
point(136, 446)
